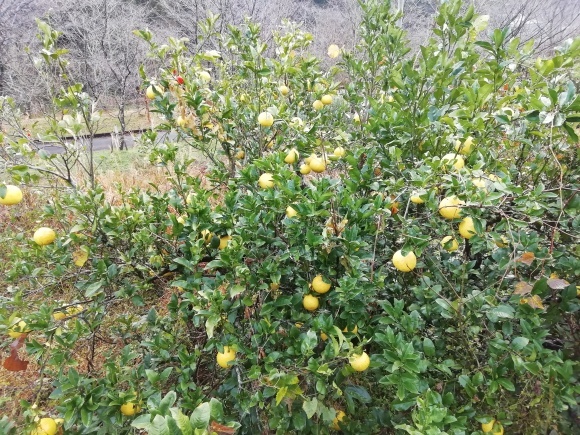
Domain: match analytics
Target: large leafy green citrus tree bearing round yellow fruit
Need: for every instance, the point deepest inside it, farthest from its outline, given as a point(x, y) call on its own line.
point(391, 244)
